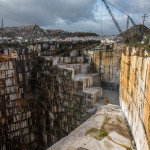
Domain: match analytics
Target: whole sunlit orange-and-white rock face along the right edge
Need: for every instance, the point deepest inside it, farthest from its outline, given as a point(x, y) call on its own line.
point(135, 94)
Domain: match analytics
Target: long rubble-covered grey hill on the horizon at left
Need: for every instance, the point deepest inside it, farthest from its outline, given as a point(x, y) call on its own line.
point(34, 31)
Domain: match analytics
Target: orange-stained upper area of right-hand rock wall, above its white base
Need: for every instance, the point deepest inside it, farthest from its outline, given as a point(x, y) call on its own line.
point(133, 91)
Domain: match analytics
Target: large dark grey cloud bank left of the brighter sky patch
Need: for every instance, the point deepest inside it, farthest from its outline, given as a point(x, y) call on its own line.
point(46, 12)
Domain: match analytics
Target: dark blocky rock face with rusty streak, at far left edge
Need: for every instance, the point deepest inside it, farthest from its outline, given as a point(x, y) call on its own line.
point(16, 116)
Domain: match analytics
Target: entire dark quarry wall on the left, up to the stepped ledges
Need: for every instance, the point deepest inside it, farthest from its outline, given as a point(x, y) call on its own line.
point(31, 96)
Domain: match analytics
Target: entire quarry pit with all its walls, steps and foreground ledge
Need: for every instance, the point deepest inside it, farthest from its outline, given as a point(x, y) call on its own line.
point(75, 96)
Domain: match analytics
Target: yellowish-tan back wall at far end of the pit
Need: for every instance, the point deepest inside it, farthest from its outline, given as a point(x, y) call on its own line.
point(108, 64)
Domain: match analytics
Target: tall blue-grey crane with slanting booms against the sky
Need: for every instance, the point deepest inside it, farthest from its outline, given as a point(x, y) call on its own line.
point(114, 20)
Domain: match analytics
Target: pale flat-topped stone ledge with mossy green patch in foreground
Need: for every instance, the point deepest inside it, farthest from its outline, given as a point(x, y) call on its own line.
point(106, 130)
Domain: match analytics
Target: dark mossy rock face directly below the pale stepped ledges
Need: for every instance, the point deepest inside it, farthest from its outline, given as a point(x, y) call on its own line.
point(61, 101)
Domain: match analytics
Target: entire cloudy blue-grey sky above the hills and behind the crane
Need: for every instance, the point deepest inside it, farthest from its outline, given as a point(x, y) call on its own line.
point(72, 15)
